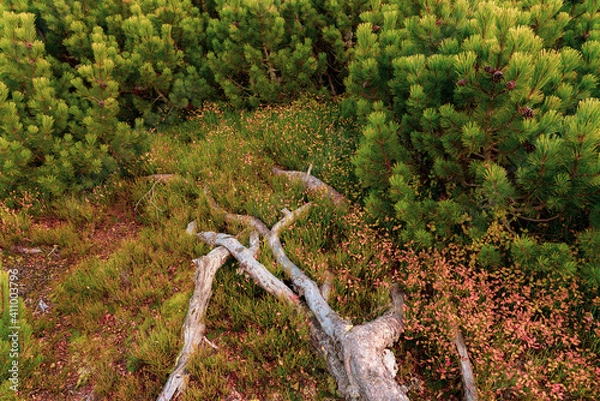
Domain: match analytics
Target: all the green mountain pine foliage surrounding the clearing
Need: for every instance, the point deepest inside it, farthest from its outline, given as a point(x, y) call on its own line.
point(475, 113)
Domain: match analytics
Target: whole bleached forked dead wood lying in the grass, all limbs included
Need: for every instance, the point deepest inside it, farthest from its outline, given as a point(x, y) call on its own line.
point(356, 355)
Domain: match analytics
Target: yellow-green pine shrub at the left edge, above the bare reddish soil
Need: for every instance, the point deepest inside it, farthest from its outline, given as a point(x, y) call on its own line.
point(58, 128)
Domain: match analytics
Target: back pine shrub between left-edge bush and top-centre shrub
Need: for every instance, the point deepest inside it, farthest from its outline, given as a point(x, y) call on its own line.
point(159, 53)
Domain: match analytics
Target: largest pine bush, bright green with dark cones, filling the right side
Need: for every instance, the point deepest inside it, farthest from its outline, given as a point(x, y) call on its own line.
point(483, 115)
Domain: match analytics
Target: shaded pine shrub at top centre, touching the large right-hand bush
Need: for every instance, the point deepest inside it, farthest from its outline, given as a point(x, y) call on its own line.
point(265, 51)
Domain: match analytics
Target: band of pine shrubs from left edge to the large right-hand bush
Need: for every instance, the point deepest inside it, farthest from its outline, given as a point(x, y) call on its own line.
point(77, 77)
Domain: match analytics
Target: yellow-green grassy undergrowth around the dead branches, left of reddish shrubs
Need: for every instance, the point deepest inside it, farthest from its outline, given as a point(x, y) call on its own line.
point(120, 313)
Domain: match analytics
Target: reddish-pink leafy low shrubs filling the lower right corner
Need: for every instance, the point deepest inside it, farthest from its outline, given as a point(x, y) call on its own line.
point(528, 338)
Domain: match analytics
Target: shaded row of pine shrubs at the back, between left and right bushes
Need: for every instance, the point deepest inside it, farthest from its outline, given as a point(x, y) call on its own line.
point(172, 55)
